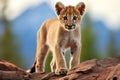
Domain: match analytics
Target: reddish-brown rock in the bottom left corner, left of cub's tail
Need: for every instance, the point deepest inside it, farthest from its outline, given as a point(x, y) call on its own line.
point(9, 71)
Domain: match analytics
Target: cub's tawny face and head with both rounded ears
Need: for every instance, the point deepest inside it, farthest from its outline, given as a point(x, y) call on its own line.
point(70, 16)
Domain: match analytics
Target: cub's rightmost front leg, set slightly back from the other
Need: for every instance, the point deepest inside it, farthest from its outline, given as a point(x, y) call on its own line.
point(75, 55)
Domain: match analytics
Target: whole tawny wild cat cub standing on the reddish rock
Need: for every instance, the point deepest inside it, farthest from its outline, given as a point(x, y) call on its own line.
point(58, 34)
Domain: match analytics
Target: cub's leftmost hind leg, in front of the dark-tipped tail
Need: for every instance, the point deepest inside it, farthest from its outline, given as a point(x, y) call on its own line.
point(41, 51)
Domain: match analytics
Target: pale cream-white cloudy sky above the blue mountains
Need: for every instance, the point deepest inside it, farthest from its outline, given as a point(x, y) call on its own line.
point(106, 10)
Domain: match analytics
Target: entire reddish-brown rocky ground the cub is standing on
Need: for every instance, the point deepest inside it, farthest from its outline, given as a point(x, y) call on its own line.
point(106, 69)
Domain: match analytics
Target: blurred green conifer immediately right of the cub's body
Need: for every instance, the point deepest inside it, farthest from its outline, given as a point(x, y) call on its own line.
point(88, 41)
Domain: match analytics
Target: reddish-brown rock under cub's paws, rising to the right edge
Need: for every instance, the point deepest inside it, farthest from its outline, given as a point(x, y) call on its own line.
point(106, 69)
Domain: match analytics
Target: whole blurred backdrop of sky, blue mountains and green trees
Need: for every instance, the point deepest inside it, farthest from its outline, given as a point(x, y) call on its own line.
point(20, 20)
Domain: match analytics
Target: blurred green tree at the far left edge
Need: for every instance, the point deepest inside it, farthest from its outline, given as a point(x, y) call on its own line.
point(9, 46)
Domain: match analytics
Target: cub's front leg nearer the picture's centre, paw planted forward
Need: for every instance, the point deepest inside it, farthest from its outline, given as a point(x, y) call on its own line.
point(60, 61)
